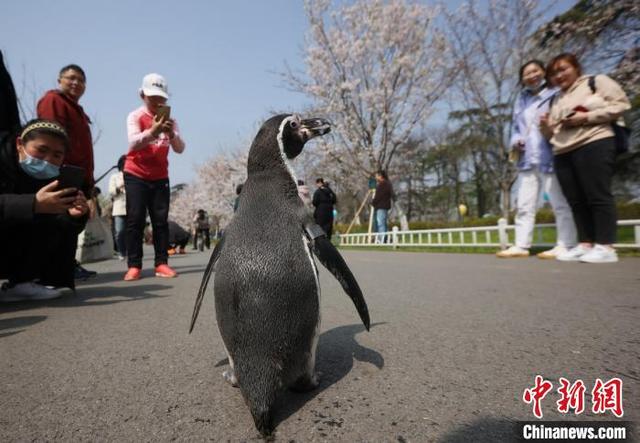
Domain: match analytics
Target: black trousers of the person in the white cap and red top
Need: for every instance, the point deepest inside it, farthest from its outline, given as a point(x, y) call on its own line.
point(143, 196)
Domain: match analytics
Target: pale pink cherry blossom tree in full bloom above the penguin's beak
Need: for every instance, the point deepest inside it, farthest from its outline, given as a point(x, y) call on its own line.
point(375, 68)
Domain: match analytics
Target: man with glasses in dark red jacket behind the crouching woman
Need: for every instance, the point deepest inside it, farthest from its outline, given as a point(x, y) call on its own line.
point(63, 106)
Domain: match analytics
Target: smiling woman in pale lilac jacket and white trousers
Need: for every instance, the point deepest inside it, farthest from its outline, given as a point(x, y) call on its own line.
point(535, 167)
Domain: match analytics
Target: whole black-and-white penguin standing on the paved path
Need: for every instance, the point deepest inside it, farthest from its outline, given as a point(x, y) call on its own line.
point(266, 287)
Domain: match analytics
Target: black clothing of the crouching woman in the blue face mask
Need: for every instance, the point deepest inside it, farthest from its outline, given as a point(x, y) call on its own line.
point(42, 246)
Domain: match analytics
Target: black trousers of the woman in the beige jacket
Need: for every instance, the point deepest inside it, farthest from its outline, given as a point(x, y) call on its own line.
point(585, 178)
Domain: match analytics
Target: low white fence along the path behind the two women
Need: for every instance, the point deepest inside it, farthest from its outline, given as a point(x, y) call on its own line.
point(481, 236)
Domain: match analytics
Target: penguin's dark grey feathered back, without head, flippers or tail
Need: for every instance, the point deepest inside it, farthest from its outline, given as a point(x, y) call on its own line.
point(265, 285)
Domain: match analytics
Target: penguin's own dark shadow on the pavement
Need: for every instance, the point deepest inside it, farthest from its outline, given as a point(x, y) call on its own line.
point(337, 349)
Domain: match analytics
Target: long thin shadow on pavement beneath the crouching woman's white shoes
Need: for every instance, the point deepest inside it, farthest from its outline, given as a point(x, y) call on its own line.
point(92, 296)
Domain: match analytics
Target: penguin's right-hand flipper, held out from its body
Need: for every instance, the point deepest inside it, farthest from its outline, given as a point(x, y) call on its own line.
point(333, 261)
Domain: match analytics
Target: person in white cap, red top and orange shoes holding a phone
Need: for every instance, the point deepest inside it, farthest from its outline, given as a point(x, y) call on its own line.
point(146, 176)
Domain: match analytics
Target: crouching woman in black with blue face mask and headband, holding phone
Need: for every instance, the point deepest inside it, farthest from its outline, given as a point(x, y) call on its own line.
point(38, 221)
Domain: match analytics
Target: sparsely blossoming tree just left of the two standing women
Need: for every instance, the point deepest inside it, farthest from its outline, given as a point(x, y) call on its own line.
point(489, 43)
